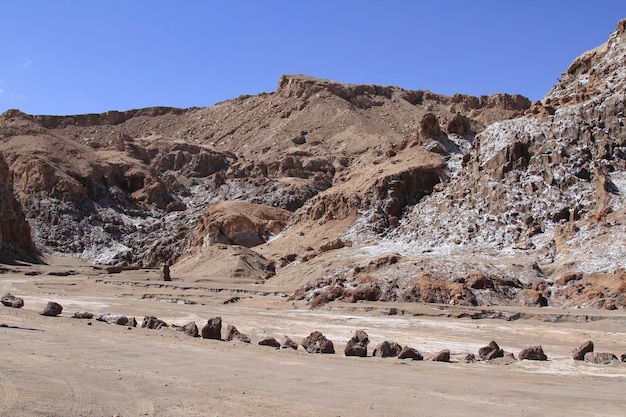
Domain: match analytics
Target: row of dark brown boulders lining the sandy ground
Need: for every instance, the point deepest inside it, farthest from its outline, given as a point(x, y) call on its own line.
point(316, 342)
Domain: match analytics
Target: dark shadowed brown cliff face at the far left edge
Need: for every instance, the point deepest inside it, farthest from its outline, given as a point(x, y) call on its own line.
point(15, 238)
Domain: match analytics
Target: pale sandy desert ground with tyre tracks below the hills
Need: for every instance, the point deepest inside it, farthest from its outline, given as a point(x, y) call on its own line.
point(62, 366)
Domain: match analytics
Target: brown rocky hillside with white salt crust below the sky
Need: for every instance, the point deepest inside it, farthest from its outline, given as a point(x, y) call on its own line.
point(353, 192)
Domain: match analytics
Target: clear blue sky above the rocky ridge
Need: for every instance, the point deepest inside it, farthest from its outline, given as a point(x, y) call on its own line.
point(90, 56)
